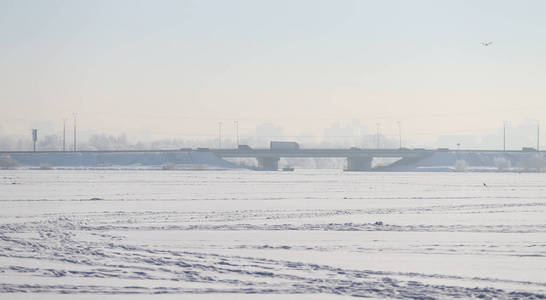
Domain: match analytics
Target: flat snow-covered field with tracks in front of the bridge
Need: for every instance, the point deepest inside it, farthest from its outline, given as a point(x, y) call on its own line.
point(80, 234)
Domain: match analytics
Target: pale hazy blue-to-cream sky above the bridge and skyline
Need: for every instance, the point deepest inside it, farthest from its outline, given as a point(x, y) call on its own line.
point(176, 68)
